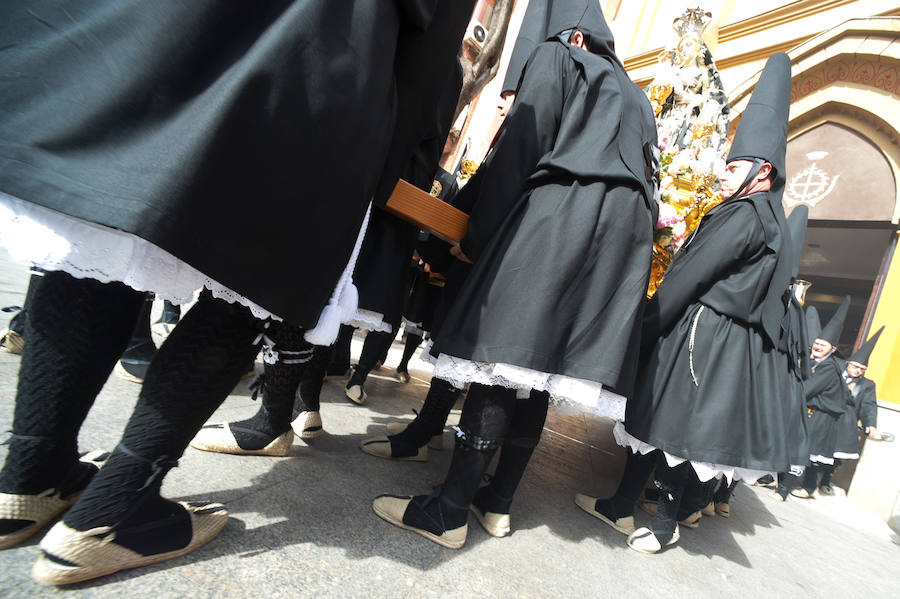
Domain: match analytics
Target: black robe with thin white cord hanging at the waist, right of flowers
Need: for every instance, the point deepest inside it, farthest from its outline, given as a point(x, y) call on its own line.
point(710, 384)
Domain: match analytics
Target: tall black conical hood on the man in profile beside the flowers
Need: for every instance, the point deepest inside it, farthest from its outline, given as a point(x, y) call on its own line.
point(762, 132)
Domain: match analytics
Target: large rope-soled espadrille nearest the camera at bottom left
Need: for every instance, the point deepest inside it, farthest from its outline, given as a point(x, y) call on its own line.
point(71, 556)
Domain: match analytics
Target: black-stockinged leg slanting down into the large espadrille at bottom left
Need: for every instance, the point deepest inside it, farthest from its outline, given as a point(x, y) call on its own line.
point(191, 374)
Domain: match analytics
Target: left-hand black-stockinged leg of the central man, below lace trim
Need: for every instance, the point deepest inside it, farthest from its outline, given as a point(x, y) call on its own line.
point(483, 427)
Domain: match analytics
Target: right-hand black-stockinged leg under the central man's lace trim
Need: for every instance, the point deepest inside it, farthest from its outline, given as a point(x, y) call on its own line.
point(524, 434)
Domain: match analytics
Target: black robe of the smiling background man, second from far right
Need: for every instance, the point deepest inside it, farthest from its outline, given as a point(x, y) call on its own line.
point(827, 398)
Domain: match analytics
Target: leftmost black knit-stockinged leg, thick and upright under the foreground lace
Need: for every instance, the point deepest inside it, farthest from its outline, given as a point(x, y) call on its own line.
point(76, 330)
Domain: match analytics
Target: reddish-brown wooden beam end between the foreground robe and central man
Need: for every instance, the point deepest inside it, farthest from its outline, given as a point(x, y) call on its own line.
point(427, 212)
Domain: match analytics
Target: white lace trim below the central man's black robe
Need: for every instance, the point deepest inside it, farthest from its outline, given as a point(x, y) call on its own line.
point(460, 372)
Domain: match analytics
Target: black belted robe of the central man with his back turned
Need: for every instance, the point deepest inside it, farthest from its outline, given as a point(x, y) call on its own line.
point(561, 225)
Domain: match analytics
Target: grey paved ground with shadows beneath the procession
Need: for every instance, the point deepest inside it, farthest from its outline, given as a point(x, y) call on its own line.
point(303, 525)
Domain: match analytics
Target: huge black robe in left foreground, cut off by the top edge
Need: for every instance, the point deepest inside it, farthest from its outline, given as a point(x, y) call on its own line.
point(243, 138)
